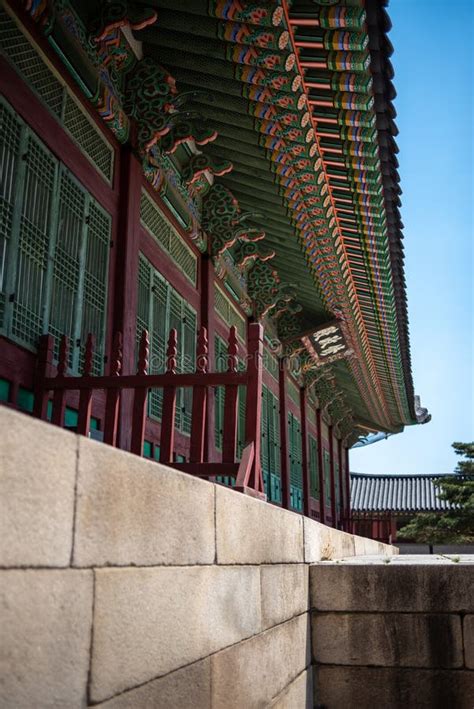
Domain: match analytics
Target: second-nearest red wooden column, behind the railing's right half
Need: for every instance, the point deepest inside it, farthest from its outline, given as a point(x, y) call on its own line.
point(207, 315)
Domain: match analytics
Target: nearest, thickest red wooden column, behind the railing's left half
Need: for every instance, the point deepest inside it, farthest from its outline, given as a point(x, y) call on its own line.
point(125, 290)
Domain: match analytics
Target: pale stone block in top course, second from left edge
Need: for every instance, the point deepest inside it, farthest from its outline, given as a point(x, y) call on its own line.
point(131, 511)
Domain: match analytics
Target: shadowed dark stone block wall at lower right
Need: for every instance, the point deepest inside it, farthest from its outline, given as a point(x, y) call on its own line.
point(394, 632)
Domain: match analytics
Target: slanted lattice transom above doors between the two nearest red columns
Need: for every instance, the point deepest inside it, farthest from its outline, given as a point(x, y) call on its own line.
point(168, 238)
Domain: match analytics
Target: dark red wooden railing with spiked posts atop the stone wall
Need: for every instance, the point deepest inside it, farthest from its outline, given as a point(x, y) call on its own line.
point(247, 472)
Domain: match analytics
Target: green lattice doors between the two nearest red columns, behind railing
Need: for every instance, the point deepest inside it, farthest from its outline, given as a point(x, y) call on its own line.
point(160, 309)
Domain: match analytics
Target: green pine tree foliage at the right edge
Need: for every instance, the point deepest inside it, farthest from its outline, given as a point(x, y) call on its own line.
point(455, 525)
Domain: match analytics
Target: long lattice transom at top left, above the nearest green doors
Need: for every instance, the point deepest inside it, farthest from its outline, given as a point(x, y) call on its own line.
point(53, 92)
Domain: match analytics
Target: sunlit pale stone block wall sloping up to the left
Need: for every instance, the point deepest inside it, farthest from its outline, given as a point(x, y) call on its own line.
point(124, 583)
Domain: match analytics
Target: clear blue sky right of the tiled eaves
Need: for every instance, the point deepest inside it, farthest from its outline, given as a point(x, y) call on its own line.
point(434, 81)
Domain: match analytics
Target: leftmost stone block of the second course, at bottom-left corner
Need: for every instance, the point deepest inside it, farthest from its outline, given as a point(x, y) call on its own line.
point(45, 620)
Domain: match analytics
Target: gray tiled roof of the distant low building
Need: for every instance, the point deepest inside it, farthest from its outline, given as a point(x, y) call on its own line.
point(396, 493)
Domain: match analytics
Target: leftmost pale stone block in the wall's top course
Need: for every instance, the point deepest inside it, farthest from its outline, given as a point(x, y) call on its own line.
point(37, 479)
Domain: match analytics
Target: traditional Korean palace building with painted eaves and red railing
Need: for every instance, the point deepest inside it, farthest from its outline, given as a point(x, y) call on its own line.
point(209, 189)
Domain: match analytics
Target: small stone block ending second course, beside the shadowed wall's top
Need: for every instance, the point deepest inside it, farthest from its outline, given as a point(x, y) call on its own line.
point(284, 592)
